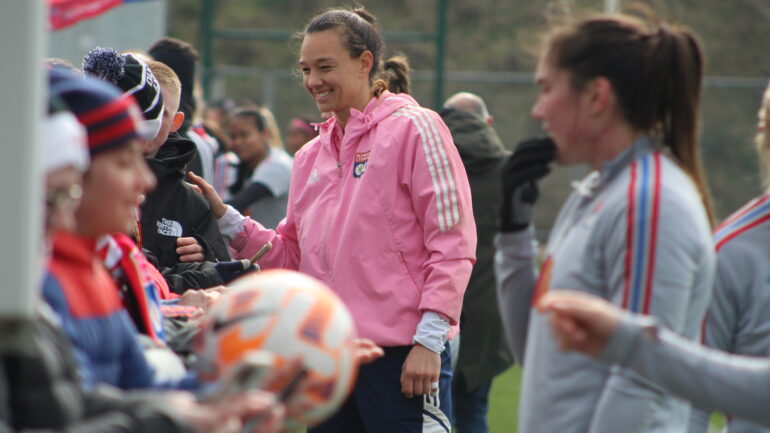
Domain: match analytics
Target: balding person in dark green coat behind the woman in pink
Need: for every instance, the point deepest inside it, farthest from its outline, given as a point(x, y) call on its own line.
point(481, 348)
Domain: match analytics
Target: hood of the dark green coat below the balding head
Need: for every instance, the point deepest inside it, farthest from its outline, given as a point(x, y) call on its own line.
point(478, 144)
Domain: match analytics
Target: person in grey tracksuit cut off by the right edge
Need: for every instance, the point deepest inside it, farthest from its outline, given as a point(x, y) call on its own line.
point(737, 319)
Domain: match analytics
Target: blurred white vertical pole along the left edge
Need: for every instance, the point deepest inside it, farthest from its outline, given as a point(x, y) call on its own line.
point(22, 87)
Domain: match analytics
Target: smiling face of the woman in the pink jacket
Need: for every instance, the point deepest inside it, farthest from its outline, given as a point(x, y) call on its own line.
point(336, 81)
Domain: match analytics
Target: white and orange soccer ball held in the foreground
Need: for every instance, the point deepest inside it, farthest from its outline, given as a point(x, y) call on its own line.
point(291, 316)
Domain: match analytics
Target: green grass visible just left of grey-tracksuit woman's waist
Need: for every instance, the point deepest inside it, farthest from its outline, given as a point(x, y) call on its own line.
point(504, 404)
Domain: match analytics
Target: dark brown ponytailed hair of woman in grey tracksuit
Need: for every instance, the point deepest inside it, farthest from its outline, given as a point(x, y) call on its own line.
point(656, 75)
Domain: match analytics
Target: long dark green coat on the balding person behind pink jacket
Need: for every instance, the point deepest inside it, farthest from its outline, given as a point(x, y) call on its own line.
point(483, 349)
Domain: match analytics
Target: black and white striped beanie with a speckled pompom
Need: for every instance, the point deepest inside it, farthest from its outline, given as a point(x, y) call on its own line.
point(131, 75)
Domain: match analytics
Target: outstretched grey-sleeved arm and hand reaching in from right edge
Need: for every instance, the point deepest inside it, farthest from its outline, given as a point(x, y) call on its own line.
point(708, 378)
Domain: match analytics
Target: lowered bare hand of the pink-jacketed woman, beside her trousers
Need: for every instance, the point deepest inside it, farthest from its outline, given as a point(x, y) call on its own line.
point(420, 372)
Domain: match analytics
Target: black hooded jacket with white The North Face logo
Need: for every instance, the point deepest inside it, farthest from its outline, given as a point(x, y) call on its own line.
point(173, 209)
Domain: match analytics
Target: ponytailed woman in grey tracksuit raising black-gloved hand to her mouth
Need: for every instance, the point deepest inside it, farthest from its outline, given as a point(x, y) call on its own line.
point(621, 96)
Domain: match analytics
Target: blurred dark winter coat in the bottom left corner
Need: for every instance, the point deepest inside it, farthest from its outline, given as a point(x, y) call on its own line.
point(40, 390)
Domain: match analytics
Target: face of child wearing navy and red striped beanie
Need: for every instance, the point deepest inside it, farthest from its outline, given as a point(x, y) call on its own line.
point(112, 190)
